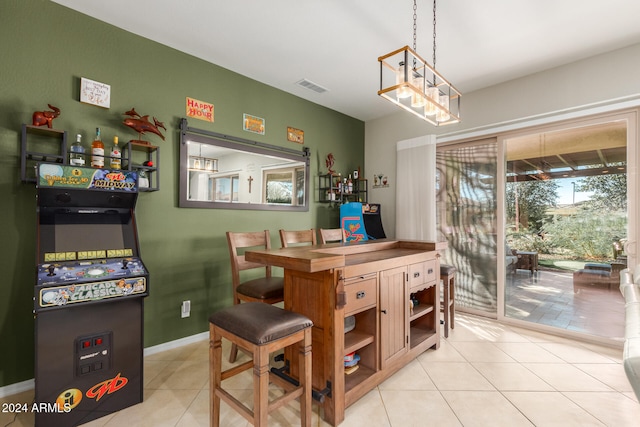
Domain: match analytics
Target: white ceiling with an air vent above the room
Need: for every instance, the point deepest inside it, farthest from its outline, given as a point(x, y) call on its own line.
point(336, 43)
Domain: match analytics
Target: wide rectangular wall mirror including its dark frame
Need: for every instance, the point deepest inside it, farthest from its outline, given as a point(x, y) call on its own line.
point(222, 172)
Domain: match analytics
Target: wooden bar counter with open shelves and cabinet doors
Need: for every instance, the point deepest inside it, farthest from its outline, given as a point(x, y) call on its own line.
point(392, 290)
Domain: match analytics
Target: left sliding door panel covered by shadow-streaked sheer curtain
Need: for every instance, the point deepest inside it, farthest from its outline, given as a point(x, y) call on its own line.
point(466, 204)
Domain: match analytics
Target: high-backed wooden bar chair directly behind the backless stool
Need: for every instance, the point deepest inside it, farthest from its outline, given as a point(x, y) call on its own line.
point(267, 289)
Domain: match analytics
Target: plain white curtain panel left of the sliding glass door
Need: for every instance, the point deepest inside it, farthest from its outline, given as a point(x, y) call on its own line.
point(416, 189)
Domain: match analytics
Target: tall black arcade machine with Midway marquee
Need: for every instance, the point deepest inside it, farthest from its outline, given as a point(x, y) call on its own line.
point(89, 294)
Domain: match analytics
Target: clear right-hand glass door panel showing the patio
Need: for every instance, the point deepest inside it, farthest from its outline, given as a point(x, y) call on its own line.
point(567, 226)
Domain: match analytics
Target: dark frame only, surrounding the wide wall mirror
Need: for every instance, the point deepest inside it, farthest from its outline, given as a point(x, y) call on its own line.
point(188, 134)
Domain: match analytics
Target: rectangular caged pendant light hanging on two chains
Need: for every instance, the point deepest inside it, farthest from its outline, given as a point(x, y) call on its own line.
point(411, 83)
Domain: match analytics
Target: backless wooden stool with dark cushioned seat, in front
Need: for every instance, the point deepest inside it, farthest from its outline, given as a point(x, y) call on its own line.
point(261, 329)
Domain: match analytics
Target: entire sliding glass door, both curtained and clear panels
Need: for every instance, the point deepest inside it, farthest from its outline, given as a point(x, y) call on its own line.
point(539, 223)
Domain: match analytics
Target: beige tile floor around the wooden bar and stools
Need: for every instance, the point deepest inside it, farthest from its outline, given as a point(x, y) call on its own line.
point(484, 374)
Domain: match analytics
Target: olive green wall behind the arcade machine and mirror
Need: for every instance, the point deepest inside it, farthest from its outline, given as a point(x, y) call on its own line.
point(45, 50)
